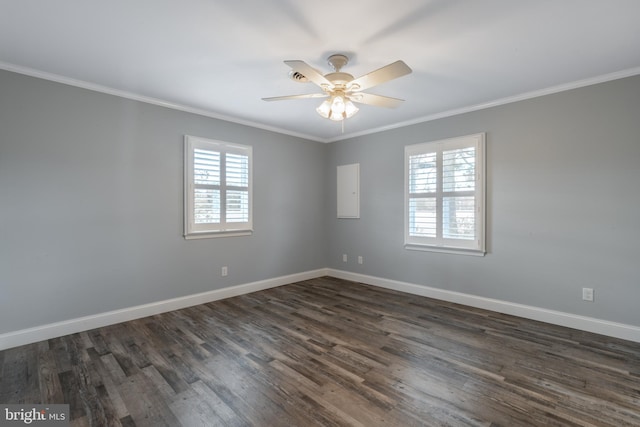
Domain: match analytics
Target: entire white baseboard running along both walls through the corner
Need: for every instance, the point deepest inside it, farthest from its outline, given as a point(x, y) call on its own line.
point(53, 330)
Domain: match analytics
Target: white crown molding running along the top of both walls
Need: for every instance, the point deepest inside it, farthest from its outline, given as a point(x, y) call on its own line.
point(155, 101)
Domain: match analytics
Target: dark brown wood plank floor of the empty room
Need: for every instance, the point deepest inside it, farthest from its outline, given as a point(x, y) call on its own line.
point(328, 352)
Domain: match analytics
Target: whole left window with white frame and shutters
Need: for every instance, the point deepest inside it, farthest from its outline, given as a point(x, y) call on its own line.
point(217, 188)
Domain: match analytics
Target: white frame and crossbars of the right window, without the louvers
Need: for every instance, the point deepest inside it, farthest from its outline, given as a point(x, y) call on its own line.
point(439, 243)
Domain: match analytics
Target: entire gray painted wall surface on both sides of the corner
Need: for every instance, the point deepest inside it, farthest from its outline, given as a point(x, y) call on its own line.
point(91, 204)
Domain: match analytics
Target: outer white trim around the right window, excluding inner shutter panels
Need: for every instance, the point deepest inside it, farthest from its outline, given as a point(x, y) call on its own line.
point(474, 247)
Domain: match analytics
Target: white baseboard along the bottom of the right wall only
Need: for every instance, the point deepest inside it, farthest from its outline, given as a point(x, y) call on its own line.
point(583, 323)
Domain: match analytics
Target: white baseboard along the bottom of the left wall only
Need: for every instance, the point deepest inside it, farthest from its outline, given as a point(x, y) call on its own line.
point(71, 326)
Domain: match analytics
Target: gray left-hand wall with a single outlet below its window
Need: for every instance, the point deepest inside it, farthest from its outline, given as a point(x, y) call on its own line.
point(91, 205)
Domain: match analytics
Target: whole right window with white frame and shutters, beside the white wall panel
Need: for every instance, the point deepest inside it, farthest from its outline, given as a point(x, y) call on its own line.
point(444, 195)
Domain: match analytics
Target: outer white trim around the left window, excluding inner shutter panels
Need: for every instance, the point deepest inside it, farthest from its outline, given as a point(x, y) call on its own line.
point(222, 229)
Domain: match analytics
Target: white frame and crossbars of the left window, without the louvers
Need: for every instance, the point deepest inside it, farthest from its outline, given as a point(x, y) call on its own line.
point(223, 228)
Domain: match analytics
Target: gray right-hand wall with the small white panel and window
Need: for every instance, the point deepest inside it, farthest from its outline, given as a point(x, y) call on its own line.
point(563, 203)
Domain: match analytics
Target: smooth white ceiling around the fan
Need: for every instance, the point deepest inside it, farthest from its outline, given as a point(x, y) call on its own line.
point(220, 57)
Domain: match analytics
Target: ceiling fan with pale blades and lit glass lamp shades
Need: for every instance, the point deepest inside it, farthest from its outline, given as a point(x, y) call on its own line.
point(342, 89)
